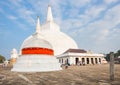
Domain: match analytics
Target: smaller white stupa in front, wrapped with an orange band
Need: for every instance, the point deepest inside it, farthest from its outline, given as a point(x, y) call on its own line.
point(37, 55)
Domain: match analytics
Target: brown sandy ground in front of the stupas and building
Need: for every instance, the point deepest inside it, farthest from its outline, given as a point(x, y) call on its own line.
point(74, 75)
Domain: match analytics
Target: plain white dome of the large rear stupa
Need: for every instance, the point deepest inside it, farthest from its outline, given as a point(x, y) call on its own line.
point(59, 41)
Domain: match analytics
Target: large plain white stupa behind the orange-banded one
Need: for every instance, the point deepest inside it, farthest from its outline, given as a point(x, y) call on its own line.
point(51, 32)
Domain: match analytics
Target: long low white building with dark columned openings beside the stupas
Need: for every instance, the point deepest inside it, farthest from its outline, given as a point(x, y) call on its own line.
point(74, 58)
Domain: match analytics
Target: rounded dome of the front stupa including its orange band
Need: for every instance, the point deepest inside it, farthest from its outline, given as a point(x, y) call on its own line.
point(35, 44)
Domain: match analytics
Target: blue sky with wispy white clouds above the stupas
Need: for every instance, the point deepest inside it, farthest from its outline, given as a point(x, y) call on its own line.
point(93, 24)
